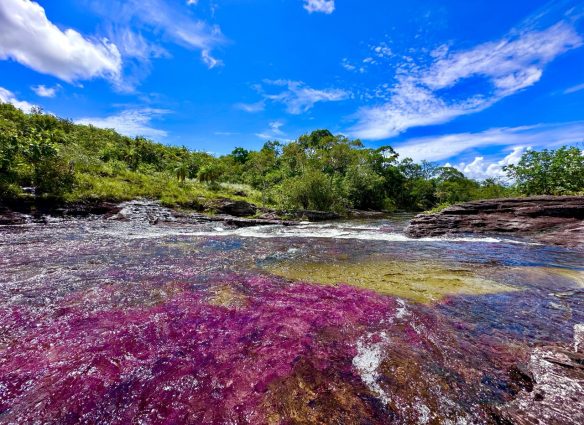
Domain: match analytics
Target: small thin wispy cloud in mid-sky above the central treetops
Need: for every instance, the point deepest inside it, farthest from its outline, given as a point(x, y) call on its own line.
point(300, 98)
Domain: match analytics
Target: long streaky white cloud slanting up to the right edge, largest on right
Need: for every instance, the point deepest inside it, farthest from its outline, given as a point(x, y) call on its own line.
point(422, 95)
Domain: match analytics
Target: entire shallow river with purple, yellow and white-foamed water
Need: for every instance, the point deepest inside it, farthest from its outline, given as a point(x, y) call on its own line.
point(347, 322)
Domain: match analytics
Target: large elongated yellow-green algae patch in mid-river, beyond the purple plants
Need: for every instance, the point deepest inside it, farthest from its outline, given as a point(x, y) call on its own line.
point(419, 281)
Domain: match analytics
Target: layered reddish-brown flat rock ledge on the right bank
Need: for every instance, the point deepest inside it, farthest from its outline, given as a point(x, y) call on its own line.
point(555, 220)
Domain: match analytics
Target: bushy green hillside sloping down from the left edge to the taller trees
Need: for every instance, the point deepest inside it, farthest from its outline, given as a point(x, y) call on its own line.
point(66, 162)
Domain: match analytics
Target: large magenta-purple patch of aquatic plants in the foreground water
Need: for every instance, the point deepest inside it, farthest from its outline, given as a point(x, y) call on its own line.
point(182, 360)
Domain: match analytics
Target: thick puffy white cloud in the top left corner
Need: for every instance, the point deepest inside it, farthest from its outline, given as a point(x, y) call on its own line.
point(28, 37)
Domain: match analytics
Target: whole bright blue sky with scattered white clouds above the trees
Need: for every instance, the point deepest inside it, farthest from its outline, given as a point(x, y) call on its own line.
point(468, 83)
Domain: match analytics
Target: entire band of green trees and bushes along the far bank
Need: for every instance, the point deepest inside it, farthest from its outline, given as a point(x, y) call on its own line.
point(47, 157)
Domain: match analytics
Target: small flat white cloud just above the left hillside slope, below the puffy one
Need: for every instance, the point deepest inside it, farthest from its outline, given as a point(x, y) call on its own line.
point(132, 122)
